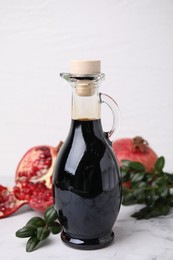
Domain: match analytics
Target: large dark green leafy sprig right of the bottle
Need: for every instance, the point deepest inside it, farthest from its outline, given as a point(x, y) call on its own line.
point(150, 188)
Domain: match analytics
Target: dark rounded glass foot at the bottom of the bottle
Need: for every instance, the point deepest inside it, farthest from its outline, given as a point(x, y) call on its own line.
point(87, 244)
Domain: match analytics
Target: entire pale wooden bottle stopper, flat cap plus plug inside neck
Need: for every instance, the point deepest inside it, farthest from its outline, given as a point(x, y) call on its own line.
point(85, 67)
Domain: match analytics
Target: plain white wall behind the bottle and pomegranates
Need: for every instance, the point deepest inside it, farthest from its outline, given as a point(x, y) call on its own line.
point(38, 38)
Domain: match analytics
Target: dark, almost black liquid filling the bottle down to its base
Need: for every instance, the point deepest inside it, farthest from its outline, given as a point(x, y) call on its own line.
point(87, 188)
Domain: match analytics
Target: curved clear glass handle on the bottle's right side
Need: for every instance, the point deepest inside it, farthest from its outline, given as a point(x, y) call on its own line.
point(104, 98)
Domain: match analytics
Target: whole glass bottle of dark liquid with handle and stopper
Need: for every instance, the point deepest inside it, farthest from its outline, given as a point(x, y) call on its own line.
point(86, 178)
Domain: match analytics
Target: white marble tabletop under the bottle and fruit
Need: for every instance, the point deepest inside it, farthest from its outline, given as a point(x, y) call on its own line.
point(134, 239)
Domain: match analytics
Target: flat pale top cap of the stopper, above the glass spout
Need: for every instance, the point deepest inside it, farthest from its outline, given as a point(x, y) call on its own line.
point(85, 67)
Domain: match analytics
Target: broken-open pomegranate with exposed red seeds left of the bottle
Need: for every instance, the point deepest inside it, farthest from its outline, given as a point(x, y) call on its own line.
point(33, 181)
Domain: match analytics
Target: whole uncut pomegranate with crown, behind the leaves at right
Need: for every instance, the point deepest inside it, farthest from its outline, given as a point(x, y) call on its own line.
point(135, 149)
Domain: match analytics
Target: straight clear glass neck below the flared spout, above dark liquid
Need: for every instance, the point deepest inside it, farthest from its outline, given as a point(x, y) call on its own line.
point(85, 103)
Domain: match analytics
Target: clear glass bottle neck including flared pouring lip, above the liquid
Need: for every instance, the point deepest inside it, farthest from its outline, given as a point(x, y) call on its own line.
point(85, 96)
